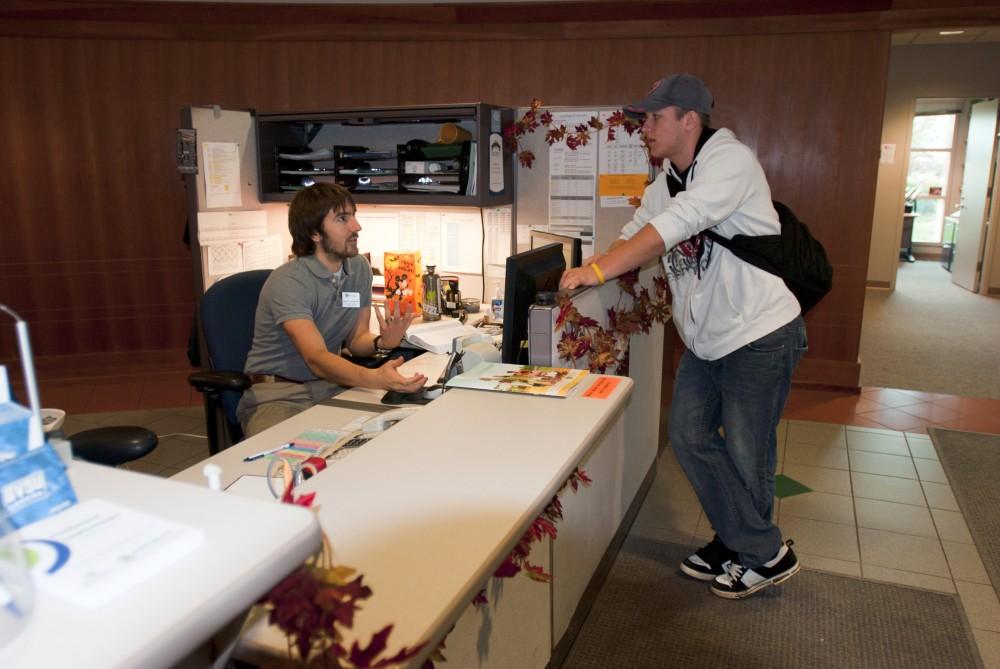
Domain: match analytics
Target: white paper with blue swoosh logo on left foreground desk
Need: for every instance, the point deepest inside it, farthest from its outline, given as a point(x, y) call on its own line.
point(96, 550)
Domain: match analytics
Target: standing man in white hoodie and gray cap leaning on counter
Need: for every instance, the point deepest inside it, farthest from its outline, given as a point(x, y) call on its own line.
point(741, 326)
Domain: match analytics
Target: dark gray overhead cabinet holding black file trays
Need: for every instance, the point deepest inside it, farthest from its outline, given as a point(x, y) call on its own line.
point(434, 155)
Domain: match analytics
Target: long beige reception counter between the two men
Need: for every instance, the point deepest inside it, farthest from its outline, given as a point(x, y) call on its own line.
point(430, 508)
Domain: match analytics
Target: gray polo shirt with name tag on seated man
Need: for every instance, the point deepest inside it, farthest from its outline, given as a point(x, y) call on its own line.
point(306, 288)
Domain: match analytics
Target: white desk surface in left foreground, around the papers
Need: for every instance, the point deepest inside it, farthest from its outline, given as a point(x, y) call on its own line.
point(249, 545)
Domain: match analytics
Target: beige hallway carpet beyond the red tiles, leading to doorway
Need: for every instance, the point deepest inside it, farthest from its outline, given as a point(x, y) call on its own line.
point(931, 335)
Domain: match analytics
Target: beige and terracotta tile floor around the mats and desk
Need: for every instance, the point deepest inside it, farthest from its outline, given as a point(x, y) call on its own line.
point(880, 506)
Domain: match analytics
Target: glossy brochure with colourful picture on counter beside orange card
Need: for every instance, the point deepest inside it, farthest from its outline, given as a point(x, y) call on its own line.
point(522, 379)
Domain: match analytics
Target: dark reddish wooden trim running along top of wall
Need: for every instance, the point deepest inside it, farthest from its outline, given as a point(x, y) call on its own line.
point(493, 21)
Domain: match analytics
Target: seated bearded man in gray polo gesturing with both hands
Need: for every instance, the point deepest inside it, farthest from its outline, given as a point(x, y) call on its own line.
point(309, 309)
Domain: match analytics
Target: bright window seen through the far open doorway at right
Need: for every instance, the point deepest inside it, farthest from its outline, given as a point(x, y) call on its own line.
point(930, 168)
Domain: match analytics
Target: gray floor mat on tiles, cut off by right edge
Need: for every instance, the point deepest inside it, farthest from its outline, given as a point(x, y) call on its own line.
point(972, 461)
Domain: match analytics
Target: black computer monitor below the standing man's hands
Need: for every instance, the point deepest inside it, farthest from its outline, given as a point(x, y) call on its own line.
point(528, 273)
